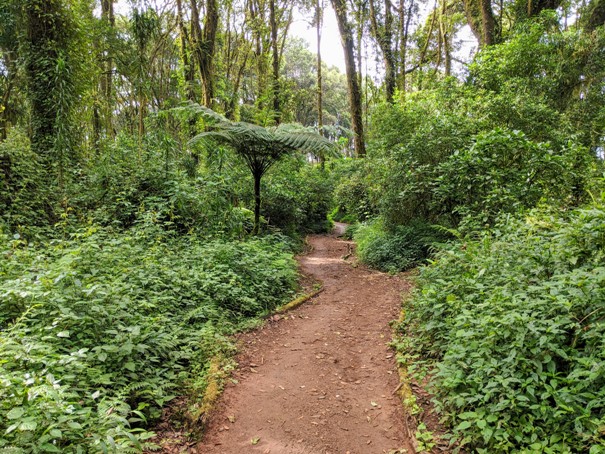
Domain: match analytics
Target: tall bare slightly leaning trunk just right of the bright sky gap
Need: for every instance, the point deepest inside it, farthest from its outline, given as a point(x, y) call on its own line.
point(346, 35)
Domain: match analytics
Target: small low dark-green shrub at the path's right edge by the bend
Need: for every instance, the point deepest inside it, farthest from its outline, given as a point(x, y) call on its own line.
point(395, 250)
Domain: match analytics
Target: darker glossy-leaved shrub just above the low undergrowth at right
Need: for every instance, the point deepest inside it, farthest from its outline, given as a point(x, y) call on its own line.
point(505, 172)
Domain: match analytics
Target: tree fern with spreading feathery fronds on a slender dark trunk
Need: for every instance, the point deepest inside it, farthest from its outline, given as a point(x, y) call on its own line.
point(259, 147)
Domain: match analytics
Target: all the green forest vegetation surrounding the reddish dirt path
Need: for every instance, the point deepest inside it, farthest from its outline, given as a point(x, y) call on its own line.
point(161, 161)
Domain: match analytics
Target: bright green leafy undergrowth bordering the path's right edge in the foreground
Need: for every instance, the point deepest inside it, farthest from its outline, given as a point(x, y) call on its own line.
point(513, 322)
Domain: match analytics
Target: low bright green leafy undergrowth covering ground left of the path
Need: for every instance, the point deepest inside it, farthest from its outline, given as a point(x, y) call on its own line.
point(99, 330)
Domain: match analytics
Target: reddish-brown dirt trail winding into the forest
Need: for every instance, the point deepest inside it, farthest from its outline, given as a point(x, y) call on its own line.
point(322, 378)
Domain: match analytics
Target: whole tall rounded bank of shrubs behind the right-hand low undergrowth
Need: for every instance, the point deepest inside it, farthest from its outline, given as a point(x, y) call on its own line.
point(458, 151)
